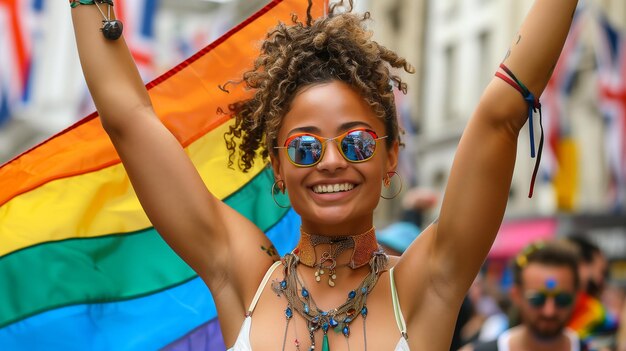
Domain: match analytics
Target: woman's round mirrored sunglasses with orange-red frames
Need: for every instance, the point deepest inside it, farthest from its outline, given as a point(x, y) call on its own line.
point(355, 145)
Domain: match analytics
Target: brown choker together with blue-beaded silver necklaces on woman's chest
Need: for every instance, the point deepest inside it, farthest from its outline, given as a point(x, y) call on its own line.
point(299, 299)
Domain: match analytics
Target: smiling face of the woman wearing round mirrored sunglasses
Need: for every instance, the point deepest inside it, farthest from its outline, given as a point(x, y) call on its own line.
point(335, 111)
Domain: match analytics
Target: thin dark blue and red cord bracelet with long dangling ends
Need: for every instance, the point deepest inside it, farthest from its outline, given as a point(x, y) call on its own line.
point(533, 106)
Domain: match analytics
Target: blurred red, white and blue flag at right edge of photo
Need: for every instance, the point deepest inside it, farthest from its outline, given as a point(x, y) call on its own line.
point(611, 57)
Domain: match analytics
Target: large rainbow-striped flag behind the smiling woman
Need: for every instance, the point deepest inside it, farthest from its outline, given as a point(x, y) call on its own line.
point(81, 268)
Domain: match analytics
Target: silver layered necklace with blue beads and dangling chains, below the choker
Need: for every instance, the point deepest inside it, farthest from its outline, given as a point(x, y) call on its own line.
point(299, 299)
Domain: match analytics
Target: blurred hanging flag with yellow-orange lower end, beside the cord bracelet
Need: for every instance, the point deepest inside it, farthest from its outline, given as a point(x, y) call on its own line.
point(561, 152)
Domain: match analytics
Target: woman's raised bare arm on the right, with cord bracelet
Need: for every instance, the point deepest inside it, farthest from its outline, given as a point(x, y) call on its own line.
point(478, 187)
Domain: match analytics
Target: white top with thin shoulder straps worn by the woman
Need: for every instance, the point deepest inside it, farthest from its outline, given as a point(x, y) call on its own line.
point(243, 339)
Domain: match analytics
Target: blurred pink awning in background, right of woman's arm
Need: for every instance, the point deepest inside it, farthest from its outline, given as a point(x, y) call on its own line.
point(516, 234)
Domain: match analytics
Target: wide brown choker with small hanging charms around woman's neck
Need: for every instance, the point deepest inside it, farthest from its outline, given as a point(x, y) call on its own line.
point(363, 245)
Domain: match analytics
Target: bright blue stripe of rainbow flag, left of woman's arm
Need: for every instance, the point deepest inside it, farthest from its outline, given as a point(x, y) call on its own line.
point(128, 325)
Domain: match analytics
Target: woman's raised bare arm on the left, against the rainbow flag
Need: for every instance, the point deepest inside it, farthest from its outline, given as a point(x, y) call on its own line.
point(198, 226)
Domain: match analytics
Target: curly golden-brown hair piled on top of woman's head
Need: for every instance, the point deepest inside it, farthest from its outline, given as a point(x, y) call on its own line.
point(337, 47)
